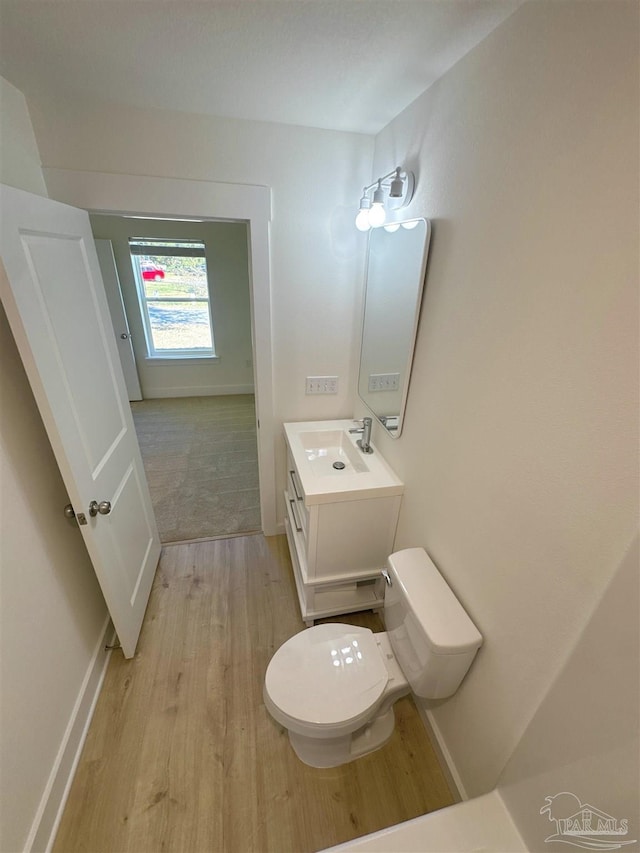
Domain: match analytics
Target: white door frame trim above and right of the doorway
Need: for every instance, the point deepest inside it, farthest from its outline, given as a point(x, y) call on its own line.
point(126, 195)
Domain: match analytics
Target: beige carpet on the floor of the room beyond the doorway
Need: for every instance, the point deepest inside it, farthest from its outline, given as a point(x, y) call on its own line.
point(201, 460)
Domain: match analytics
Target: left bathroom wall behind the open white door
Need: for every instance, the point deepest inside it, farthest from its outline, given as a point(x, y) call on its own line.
point(52, 614)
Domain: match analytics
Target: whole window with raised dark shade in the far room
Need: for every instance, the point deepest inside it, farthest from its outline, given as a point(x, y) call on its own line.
point(173, 291)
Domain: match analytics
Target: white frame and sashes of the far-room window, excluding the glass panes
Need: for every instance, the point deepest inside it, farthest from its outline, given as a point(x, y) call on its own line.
point(158, 248)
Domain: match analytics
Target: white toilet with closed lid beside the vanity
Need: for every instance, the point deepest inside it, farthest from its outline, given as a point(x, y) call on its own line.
point(333, 686)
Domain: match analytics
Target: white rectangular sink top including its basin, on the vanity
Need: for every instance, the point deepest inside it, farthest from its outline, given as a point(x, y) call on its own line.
point(317, 445)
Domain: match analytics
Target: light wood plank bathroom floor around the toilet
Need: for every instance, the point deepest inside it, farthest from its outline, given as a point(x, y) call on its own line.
point(182, 755)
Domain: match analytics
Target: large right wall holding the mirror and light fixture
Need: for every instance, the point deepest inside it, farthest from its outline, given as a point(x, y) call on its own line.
point(519, 449)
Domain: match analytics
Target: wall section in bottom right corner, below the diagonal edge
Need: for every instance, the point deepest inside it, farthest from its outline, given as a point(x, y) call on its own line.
point(584, 736)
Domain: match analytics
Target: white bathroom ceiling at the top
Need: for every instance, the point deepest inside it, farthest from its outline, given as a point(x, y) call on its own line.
point(347, 65)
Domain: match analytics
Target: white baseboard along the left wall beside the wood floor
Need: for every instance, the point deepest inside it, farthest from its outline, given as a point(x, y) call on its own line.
point(49, 813)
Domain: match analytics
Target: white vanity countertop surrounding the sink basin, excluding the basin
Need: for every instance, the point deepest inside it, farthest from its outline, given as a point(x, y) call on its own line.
point(377, 481)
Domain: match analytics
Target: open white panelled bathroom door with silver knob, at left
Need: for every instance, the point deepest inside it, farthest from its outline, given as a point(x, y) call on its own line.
point(54, 298)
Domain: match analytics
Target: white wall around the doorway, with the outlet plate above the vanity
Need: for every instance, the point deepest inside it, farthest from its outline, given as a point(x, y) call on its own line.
point(317, 257)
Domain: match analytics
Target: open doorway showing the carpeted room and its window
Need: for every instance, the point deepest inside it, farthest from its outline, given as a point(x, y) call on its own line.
point(189, 330)
